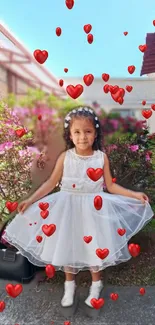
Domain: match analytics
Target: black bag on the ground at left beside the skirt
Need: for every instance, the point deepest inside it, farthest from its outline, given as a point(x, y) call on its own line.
point(13, 265)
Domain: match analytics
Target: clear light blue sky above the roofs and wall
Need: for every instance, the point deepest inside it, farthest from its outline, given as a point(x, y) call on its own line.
point(35, 21)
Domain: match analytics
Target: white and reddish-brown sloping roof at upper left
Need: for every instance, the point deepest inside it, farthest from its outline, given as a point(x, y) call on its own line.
point(16, 58)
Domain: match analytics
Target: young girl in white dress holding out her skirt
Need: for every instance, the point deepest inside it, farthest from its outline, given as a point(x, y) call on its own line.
point(83, 221)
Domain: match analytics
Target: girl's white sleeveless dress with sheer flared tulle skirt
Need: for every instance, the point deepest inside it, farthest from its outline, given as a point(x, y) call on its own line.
point(73, 213)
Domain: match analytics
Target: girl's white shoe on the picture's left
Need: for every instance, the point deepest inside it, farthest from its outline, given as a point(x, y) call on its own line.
point(68, 298)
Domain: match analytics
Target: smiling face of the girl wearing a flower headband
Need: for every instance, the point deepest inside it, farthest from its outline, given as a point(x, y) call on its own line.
point(82, 133)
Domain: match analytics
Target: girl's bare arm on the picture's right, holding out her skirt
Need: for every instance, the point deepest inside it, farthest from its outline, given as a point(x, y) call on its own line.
point(112, 187)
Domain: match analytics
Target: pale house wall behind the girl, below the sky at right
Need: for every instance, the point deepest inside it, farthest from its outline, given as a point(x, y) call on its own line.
point(143, 89)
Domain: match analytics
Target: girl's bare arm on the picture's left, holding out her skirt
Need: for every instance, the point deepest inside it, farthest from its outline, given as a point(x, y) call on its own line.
point(51, 183)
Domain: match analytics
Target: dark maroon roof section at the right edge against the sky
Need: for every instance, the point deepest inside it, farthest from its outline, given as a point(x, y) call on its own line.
point(148, 65)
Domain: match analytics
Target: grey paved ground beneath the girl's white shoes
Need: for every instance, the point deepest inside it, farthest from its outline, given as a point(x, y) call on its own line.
point(43, 307)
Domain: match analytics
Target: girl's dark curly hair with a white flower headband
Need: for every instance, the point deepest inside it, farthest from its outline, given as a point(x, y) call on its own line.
point(98, 142)
